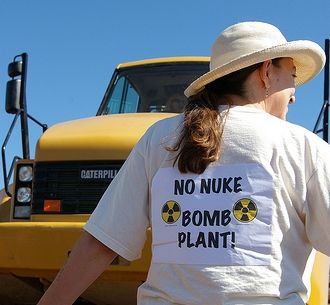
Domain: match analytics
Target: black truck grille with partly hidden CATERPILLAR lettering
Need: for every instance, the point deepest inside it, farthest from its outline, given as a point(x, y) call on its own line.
point(79, 185)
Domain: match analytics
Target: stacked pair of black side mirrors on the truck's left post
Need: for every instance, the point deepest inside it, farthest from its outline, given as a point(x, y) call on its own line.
point(13, 91)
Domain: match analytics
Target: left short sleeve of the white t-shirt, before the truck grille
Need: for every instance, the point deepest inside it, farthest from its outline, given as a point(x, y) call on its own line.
point(121, 217)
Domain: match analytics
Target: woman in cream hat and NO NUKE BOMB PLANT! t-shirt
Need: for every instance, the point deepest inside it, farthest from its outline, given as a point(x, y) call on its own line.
point(236, 196)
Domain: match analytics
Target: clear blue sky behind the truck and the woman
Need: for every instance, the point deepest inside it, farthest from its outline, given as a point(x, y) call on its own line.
point(74, 46)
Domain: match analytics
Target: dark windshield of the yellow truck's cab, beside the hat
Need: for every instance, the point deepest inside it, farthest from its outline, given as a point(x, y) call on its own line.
point(151, 88)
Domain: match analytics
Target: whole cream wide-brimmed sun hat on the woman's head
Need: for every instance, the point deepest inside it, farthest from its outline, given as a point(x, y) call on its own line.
point(247, 43)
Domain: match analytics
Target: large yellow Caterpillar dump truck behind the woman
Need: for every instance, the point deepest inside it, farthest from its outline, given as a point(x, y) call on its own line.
point(43, 210)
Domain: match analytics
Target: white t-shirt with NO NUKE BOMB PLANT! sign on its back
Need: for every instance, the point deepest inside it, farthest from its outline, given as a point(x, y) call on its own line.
point(240, 233)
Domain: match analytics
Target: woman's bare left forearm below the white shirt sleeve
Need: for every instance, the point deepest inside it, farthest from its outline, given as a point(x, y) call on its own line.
point(88, 259)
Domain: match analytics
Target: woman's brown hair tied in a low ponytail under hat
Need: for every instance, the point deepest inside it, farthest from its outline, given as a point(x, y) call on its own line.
point(200, 139)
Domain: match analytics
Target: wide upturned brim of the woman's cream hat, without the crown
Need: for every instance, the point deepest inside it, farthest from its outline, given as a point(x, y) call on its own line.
point(308, 57)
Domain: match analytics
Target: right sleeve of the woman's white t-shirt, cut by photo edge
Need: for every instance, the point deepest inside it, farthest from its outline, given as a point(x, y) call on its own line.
point(317, 206)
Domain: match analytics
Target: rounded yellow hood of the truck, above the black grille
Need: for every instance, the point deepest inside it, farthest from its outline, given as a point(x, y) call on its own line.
point(108, 137)
